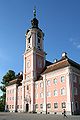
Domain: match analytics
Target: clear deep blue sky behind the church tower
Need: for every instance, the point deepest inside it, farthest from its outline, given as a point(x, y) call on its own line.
point(59, 20)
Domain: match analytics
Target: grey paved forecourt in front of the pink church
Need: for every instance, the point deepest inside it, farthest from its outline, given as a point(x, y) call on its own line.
point(25, 116)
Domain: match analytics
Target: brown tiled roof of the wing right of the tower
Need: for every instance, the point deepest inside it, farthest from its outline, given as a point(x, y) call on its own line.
point(61, 64)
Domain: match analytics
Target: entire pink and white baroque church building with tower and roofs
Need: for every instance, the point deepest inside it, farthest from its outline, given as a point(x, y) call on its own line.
point(45, 87)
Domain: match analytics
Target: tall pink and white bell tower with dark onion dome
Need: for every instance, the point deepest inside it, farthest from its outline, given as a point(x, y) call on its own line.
point(34, 63)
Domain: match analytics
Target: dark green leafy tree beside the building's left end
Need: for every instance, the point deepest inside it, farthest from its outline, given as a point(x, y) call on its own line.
point(10, 75)
